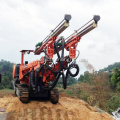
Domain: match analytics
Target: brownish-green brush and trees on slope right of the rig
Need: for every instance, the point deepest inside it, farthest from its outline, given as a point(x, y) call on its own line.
point(99, 88)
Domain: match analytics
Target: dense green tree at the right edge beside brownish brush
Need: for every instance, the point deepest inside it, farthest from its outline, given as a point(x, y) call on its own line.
point(115, 79)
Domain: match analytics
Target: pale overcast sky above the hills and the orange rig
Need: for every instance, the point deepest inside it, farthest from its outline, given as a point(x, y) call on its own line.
point(23, 23)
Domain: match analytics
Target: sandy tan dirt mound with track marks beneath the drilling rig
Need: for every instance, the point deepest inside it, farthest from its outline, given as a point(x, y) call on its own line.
point(66, 109)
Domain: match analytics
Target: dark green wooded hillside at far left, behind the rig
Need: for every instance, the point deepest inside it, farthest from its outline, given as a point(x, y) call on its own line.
point(6, 72)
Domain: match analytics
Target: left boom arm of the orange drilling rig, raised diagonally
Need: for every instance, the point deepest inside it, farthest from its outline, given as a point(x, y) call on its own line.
point(48, 42)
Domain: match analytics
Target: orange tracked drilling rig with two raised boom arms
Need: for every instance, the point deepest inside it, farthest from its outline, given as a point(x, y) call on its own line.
point(39, 78)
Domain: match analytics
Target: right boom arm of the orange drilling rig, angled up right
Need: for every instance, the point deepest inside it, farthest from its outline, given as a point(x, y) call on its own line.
point(73, 39)
